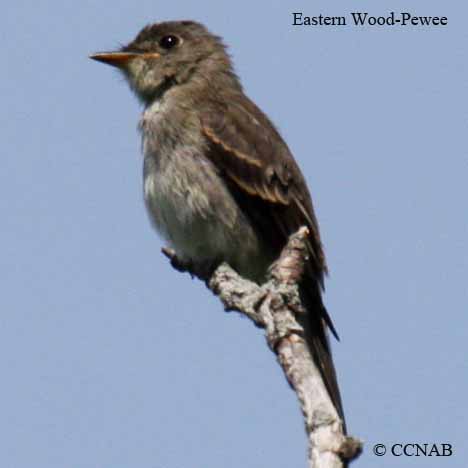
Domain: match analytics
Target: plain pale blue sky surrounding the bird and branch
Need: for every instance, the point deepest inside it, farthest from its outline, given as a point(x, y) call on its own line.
point(112, 359)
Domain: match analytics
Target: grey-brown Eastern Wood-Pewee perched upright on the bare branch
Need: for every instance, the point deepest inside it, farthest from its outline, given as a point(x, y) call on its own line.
point(220, 183)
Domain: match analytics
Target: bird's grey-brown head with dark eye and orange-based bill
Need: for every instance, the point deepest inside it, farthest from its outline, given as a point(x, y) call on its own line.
point(167, 54)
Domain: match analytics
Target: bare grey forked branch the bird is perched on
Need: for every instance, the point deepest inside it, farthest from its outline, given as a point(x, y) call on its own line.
point(273, 306)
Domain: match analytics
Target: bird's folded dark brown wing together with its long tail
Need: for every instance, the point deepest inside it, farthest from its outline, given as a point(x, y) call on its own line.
point(257, 165)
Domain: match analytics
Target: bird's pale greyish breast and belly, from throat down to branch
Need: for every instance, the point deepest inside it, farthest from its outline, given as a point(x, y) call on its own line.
point(189, 202)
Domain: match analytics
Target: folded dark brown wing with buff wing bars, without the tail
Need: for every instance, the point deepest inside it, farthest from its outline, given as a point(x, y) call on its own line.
point(249, 152)
